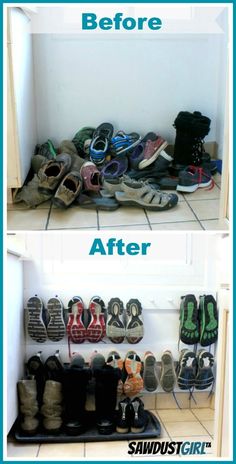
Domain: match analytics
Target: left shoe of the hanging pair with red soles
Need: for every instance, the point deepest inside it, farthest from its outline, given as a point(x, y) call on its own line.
point(75, 328)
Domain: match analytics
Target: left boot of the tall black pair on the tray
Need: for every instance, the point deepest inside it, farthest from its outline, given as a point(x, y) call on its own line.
point(75, 380)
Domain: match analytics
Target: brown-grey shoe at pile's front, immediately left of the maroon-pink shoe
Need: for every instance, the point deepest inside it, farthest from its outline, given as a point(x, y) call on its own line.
point(68, 190)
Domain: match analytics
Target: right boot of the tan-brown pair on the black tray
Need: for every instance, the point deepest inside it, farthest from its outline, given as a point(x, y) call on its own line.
point(52, 406)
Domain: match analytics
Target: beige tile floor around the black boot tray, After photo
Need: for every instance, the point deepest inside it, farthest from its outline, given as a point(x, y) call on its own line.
point(177, 425)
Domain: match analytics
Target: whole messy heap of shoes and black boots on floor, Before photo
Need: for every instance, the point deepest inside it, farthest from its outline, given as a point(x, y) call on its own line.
point(102, 169)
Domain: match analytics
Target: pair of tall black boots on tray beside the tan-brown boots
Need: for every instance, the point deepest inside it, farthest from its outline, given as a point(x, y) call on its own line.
point(75, 384)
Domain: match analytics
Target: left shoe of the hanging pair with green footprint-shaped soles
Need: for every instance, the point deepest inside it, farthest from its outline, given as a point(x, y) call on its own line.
point(189, 324)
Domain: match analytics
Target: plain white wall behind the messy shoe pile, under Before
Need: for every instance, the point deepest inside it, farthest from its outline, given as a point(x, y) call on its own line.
point(137, 84)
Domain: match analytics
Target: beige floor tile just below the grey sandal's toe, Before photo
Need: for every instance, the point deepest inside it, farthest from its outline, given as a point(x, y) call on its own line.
point(179, 213)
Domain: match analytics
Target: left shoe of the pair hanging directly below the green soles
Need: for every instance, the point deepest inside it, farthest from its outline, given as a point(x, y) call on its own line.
point(187, 370)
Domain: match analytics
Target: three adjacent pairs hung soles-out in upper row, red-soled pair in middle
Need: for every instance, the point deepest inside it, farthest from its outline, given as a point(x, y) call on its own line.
point(83, 324)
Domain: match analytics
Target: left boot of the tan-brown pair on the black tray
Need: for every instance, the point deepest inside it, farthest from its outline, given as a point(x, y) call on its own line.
point(27, 393)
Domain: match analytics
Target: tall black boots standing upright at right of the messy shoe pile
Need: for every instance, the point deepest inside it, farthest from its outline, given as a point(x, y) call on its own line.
point(191, 128)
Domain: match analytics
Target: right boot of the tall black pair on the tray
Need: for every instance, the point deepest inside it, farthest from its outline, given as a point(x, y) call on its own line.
point(105, 398)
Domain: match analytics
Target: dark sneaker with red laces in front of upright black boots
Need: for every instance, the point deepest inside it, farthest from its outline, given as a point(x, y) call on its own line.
point(193, 178)
